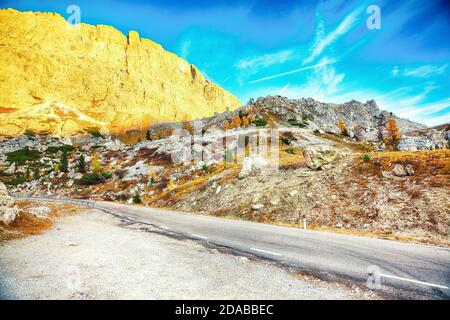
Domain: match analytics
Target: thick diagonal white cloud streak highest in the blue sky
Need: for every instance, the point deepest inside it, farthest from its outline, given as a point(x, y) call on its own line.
point(322, 40)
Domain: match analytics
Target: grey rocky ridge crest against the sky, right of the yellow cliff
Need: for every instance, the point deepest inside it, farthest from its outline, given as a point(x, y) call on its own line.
point(364, 121)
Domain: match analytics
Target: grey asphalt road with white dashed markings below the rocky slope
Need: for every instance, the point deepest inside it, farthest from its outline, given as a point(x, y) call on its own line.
point(392, 268)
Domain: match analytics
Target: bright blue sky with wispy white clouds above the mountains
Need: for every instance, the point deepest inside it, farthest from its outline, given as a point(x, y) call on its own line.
point(318, 49)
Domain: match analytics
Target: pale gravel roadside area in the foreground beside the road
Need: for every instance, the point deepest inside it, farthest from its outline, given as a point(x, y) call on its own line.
point(95, 256)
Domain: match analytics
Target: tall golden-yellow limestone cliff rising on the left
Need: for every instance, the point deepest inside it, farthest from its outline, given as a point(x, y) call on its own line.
point(62, 79)
